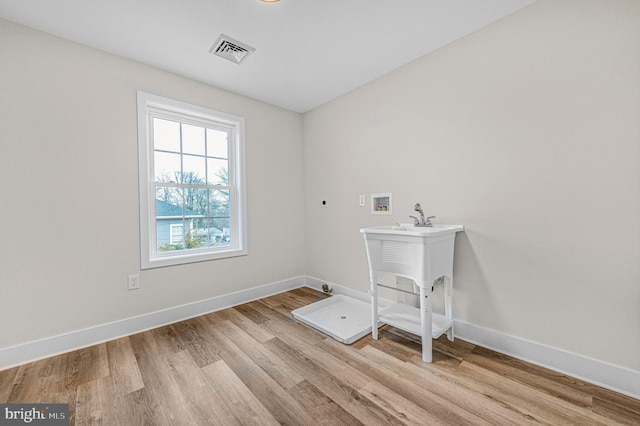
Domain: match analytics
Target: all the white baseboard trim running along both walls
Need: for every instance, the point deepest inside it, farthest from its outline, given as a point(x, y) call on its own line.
point(619, 379)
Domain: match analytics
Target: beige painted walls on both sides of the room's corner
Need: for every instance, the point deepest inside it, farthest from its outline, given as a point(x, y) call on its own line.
point(526, 132)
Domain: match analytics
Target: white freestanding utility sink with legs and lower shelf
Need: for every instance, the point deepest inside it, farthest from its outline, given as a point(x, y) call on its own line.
point(422, 254)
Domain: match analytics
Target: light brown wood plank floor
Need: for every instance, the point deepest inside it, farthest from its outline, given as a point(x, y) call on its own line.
point(254, 365)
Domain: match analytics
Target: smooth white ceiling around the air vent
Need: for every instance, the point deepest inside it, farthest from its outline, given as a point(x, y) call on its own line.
point(307, 51)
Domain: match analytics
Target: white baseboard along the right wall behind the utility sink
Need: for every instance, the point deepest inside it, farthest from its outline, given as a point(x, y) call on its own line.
point(609, 376)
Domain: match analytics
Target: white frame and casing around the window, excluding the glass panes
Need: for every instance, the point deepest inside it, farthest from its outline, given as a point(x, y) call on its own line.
point(148, 106)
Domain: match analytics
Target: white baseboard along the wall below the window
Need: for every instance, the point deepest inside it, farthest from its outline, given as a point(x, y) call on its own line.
point(31, 351)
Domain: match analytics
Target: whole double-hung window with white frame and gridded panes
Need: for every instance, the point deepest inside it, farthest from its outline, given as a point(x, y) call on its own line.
point(191, 167)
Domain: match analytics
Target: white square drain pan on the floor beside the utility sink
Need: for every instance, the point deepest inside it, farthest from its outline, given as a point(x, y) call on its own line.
point(344, 318)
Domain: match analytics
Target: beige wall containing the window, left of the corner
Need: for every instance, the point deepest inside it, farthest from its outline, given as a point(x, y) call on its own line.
point(69, 204)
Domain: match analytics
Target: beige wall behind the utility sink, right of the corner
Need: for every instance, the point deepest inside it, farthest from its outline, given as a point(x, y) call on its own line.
point(528, 133)
